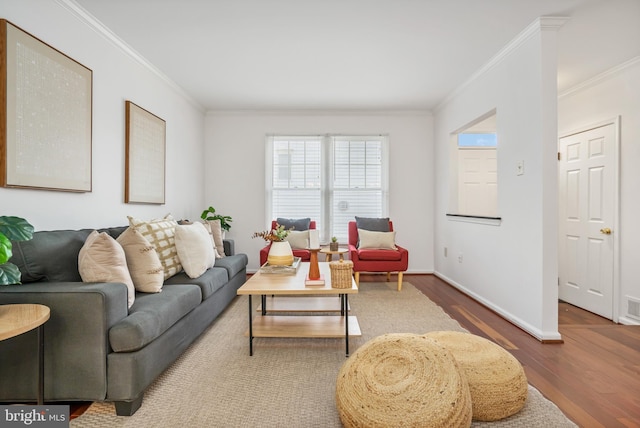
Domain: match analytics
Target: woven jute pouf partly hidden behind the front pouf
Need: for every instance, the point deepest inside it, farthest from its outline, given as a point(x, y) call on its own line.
point(497, 381)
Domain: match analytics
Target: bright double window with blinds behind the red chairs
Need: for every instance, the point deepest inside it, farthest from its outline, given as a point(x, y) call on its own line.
point(330, 179)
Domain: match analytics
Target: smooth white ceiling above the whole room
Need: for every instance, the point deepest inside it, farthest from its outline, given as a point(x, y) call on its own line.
point(354, 54)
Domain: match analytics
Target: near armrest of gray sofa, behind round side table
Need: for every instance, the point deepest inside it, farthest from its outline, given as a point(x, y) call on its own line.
point(75, 340)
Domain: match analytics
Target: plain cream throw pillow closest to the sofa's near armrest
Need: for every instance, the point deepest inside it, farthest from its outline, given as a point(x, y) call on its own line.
point(102, 259)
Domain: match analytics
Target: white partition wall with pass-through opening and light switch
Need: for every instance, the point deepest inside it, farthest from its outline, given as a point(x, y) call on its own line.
point(511, 267)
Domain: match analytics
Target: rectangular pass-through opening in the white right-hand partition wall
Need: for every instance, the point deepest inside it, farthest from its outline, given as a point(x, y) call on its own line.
point(474, 168)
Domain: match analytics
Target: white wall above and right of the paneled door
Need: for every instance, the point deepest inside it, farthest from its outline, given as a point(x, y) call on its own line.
point(615, 93)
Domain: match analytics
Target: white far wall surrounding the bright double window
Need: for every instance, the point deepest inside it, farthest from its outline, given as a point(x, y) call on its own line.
point(235, 158)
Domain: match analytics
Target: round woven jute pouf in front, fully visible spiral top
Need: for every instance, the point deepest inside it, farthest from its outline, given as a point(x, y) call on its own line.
point(402, 380)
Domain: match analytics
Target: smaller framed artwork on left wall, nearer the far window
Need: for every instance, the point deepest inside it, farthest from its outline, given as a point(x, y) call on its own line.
point(145, 156)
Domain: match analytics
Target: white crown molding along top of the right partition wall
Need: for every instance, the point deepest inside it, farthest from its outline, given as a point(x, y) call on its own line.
point(543, 23)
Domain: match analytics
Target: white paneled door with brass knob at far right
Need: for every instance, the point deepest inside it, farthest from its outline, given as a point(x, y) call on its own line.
point(588, 189)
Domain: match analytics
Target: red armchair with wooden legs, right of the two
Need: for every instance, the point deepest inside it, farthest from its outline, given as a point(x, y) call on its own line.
point(376, 260)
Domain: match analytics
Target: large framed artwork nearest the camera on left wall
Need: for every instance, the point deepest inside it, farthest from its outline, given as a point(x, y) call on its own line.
point(45, 116)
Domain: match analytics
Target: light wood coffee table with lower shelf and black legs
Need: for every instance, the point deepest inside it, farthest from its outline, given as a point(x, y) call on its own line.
point(314, 323)
